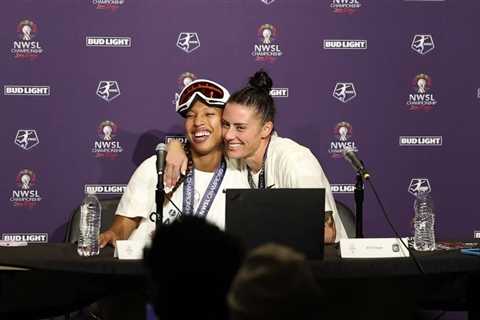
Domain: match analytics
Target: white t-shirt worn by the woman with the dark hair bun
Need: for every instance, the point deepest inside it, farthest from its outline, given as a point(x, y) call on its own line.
point(291, 165)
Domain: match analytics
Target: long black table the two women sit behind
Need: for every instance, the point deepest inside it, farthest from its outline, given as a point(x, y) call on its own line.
point(58, 280)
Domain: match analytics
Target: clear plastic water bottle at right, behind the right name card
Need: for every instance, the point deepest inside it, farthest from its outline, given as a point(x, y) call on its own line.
point(424, 223)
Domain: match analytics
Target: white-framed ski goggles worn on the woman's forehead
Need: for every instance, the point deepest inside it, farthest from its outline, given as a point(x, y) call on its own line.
point(210, 92)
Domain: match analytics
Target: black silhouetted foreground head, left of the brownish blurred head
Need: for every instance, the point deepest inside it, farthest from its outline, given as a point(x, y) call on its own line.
point(191, 265)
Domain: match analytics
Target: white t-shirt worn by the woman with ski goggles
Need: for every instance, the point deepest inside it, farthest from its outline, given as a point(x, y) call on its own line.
point(138, 199)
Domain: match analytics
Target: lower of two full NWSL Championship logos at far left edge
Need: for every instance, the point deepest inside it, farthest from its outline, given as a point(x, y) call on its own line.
point(26, 194)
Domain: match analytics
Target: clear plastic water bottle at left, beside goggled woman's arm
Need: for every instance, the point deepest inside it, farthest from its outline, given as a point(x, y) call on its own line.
point(90, 220)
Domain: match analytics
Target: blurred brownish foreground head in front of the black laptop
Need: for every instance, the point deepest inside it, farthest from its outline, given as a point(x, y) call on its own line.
point(275, 282)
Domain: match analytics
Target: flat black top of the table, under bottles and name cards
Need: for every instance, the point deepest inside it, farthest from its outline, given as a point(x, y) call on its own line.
point(63, 256)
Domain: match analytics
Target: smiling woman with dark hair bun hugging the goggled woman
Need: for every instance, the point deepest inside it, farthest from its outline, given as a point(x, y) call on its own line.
point(271, 161)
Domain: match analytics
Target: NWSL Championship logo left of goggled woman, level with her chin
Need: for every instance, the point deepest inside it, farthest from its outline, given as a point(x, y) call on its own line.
point(107, 146)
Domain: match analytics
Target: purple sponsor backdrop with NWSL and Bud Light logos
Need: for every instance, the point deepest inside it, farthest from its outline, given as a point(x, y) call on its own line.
point(52, 136)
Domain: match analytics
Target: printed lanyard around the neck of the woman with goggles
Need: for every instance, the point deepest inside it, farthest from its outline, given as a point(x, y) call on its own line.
point(209, 195)
